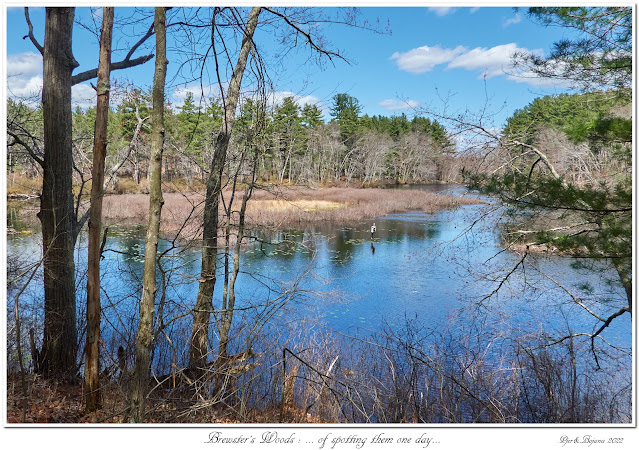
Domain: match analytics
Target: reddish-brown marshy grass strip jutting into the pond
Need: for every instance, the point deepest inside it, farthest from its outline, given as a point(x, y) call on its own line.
point(280, 207)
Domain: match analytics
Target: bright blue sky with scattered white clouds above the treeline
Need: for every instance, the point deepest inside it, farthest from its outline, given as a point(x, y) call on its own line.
point(425, 58)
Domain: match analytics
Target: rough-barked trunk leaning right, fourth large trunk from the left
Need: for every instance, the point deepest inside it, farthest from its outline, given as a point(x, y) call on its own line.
point(204, 301)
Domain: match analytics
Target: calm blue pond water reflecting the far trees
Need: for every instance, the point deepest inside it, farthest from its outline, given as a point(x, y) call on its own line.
point(431, 267)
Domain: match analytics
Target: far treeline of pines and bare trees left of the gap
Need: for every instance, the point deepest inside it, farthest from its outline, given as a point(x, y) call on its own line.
point(299, 145)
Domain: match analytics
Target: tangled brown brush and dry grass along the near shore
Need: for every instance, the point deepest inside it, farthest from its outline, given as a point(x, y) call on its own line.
point(299, 372)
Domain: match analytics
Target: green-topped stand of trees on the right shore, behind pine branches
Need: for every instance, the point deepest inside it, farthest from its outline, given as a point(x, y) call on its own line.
point(586, 137)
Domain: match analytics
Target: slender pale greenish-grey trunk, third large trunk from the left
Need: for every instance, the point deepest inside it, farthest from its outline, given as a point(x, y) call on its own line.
point(140, 382)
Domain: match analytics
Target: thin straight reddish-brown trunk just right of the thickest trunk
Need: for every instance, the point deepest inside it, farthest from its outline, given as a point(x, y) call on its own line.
point(92, 363)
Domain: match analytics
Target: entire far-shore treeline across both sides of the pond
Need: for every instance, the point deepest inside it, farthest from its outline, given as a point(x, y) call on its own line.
point(301, 146)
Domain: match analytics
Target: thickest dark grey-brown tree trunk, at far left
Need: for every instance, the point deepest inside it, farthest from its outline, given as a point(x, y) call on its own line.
point(59, 346)
